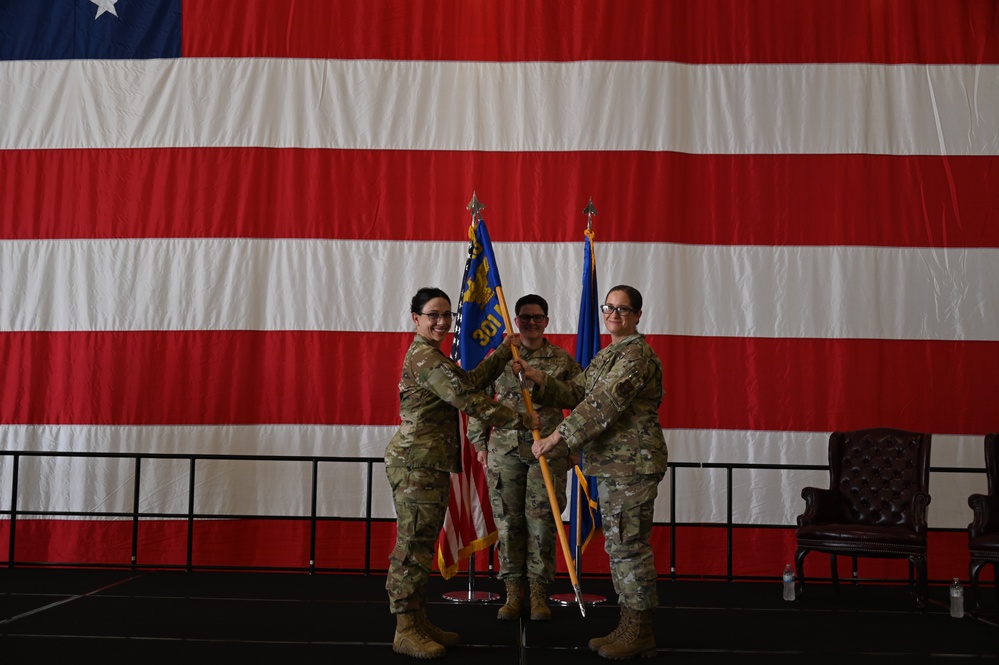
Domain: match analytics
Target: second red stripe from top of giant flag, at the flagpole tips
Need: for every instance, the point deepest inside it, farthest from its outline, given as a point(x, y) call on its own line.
point(868, 200)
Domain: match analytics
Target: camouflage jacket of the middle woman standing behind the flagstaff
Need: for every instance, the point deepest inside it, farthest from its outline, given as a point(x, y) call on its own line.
point(551, 359)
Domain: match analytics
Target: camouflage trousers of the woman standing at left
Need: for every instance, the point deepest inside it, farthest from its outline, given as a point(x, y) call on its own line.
point(420, 497)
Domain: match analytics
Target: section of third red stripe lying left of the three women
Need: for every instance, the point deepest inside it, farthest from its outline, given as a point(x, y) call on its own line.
point(218, 377)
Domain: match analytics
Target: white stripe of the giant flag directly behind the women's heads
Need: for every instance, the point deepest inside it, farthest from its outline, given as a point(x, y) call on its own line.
point(218, 284)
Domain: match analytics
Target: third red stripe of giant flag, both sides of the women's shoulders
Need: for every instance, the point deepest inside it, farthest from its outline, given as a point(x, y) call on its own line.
point(299, 377)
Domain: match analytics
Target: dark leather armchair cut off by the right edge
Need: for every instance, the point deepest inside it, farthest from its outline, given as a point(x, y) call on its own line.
point(983, 532)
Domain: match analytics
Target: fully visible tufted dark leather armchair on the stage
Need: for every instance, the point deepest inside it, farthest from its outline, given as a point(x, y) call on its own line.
point(875, 505)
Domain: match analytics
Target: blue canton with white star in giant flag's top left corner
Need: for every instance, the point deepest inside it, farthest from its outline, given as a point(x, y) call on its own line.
point(90, 29)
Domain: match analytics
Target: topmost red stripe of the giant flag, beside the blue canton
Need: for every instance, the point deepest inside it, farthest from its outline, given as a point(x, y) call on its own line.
point(708, 31)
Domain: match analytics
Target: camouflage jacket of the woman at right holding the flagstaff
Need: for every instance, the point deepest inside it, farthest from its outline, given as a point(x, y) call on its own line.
point(615, 410)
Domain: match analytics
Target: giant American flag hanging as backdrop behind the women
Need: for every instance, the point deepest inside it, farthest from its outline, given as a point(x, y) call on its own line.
point(213, 214)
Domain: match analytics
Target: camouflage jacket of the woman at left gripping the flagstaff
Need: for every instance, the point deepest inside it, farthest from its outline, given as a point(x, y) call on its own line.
point(431, 391)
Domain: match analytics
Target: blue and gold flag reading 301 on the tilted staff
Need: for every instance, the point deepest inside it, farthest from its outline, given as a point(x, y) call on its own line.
point(479, 326)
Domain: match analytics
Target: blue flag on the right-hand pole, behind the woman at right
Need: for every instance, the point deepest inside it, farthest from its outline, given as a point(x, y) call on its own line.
point(584, 514)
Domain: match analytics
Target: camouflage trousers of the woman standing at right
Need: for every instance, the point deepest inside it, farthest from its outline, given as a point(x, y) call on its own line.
point(626, 507)
